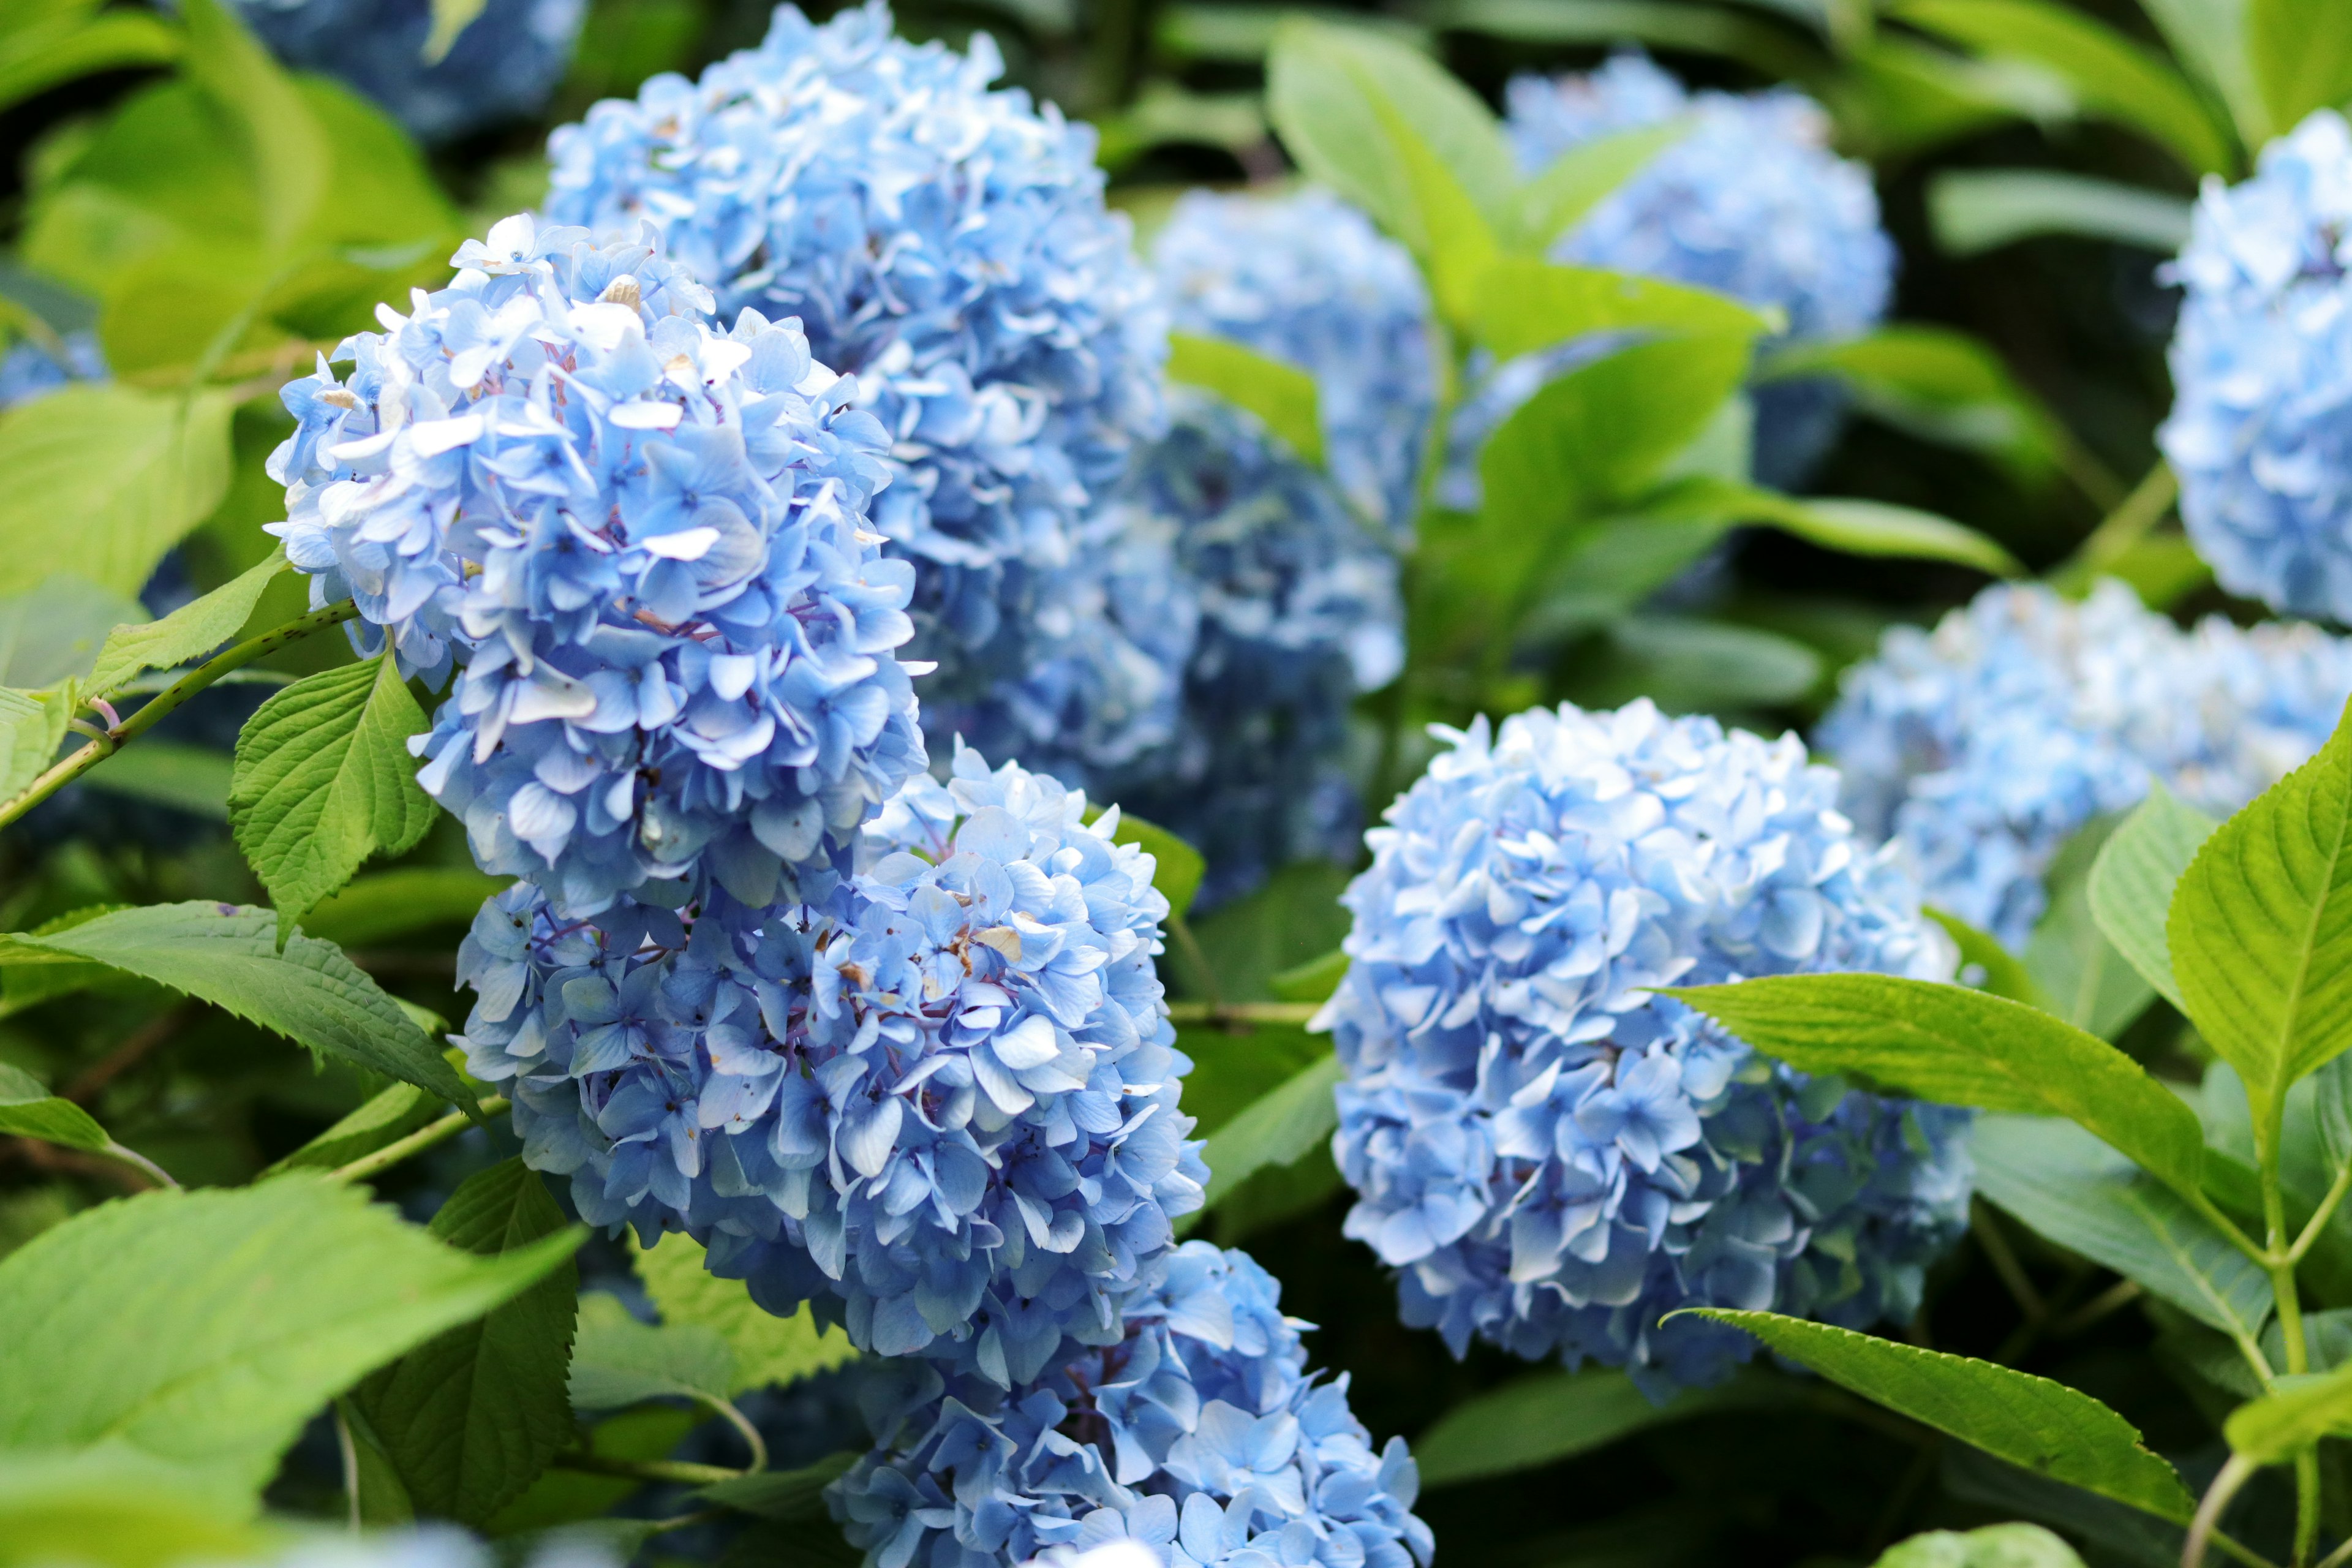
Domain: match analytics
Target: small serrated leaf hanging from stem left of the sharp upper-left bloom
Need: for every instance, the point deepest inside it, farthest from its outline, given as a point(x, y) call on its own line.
point(326, 782)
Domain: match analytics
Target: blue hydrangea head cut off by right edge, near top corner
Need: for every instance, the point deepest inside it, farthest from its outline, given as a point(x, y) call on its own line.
point(2261, 427)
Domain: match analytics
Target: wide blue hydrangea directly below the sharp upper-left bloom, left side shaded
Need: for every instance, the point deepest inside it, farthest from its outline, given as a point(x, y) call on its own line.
point(937, 1097)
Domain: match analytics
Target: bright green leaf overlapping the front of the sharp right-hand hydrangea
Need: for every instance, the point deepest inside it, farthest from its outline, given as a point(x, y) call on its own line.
point(1960, 1047)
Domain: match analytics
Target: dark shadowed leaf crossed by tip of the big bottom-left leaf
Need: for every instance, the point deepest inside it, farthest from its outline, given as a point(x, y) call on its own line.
point(472, 1416)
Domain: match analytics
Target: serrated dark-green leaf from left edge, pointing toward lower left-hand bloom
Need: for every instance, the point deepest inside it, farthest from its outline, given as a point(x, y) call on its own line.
point(227, 956)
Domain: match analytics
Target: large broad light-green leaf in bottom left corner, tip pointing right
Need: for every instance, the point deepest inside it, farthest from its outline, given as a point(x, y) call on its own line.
point(208, 1327)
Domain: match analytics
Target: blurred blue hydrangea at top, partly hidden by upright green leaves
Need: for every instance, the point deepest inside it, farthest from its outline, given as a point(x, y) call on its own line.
point(1751, 203)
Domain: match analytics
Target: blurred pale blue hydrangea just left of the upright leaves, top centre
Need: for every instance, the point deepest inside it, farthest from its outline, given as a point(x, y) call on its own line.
point(1309, 281)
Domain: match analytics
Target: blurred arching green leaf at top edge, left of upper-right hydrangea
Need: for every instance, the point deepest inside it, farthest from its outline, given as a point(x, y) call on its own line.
point(2109, 74)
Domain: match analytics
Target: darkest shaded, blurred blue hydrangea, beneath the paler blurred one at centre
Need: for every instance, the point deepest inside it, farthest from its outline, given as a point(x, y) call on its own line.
point(1299, 615)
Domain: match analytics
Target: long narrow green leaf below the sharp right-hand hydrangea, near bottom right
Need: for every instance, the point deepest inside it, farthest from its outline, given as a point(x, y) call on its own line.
point(2029, 1421)
